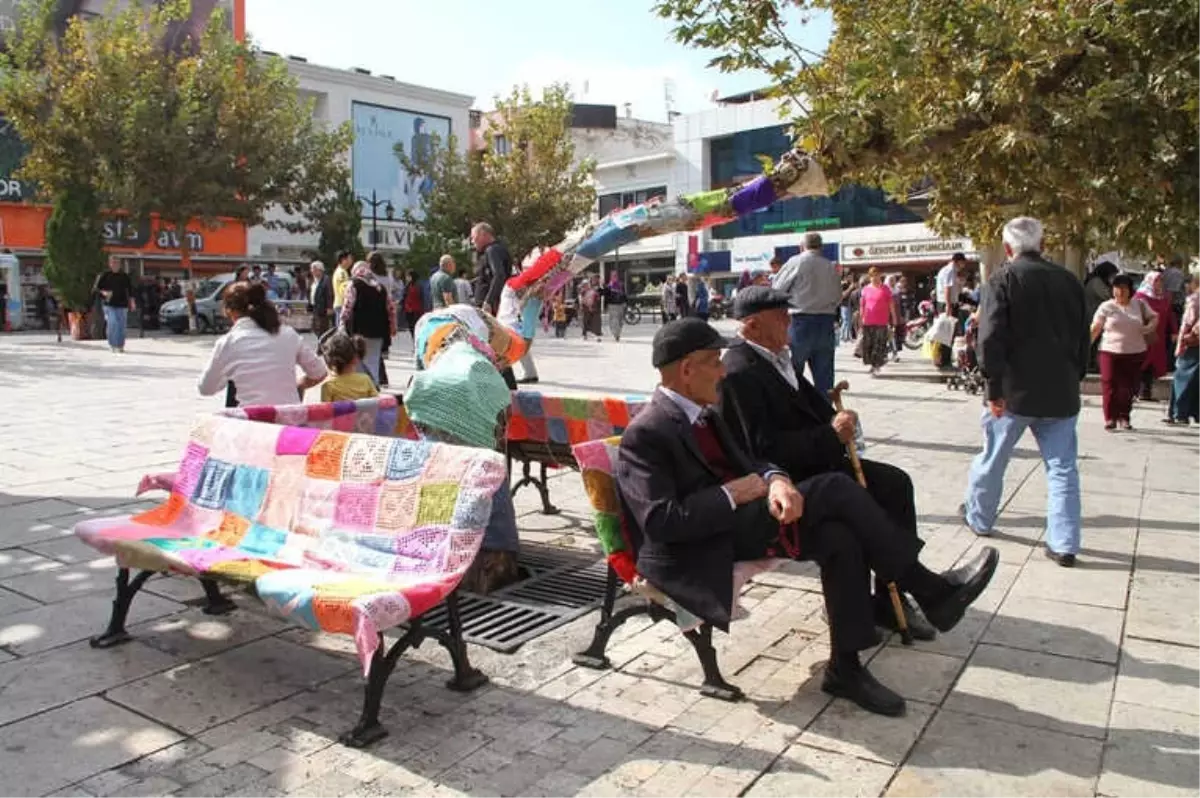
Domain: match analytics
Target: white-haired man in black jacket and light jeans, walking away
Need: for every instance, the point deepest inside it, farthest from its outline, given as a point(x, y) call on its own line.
point(1034, 347)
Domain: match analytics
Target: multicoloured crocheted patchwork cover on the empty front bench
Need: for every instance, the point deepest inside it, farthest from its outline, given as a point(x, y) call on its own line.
point(341, 533)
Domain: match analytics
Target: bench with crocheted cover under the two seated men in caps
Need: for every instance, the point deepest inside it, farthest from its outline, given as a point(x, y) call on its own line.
point(598, 464)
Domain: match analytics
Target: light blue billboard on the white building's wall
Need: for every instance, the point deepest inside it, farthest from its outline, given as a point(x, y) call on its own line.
point(374, 163)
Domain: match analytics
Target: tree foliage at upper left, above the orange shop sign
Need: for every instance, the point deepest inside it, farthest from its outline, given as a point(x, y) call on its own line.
point(193, 134)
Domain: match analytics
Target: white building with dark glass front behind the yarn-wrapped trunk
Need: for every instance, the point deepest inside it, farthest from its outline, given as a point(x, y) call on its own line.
point(719, 148)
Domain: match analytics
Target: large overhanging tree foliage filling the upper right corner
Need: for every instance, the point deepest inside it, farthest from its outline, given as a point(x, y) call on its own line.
point(1085, 113)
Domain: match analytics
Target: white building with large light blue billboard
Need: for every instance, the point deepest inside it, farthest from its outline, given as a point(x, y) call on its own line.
point(385, 112)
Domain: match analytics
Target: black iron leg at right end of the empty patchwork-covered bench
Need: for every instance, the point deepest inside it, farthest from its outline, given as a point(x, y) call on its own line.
point(369, 730)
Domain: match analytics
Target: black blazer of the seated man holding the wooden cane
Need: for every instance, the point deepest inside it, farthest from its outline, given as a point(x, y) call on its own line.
point(767, 417)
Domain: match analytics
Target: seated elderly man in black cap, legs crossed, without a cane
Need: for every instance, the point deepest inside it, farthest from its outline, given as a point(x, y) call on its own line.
point(698, 503)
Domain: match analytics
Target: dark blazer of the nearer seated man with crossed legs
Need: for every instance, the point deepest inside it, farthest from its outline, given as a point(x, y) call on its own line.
point(676, 512)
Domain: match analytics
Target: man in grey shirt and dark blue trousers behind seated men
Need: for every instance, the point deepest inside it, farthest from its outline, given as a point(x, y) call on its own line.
point(814, 291)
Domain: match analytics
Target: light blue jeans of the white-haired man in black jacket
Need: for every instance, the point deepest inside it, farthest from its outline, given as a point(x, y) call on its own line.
point(1059, 446)
